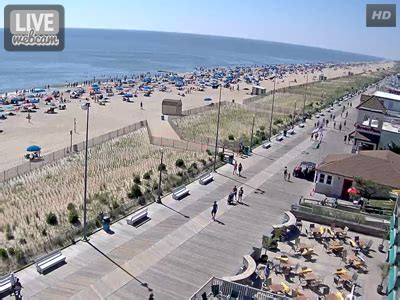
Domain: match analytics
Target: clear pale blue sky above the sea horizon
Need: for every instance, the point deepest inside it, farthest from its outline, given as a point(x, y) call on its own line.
point(336, 24)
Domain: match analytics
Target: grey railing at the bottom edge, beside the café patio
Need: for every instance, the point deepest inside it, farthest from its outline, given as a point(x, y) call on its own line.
point(226, 287)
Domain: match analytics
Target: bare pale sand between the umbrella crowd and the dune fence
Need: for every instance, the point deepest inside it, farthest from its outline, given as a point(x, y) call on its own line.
point(52, 131)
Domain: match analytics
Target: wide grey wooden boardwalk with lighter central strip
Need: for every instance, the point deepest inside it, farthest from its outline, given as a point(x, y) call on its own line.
point(180, 248)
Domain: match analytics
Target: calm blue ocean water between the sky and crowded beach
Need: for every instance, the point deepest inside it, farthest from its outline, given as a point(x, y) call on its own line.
point(100, 52)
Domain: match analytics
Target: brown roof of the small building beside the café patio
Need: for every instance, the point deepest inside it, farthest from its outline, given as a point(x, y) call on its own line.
point(379, 166)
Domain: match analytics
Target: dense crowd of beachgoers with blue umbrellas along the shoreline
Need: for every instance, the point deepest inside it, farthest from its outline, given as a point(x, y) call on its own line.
point(128, 87)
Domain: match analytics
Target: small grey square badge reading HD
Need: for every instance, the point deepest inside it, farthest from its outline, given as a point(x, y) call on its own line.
point(381, 15)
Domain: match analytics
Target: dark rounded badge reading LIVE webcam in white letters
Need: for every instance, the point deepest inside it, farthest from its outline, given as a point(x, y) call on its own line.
point(34, 28)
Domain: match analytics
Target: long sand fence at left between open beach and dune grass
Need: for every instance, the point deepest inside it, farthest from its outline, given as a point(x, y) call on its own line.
point(57, 155)
